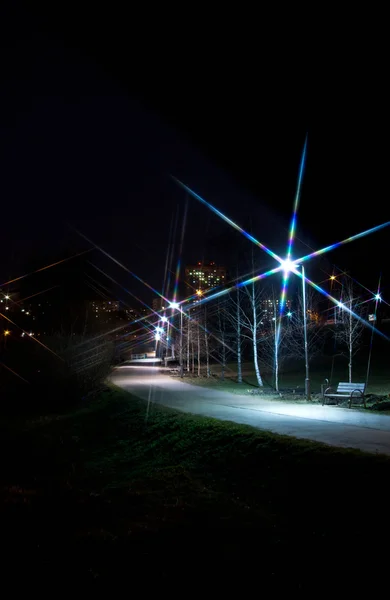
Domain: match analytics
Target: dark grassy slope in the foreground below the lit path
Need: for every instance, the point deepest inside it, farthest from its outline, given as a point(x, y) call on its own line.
point(101, 494)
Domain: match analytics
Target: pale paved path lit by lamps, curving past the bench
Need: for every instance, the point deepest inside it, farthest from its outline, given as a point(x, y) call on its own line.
point(328, 424)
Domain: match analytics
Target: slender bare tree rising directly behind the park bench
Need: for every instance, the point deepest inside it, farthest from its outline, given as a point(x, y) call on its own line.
point(350, 323)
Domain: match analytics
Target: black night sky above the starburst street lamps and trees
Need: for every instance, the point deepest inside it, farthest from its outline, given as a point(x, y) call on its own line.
point(95, 116)
